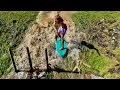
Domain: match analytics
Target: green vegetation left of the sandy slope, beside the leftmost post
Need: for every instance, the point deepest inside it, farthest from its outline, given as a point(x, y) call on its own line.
point(13, 26)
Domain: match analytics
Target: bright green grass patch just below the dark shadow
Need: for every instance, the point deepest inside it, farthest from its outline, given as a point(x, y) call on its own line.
point(101, 64)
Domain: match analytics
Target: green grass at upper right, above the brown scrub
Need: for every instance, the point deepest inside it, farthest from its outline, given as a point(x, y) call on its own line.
point(84, 20)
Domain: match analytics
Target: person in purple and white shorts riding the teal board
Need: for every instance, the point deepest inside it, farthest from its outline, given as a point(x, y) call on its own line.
point(62, 29)
